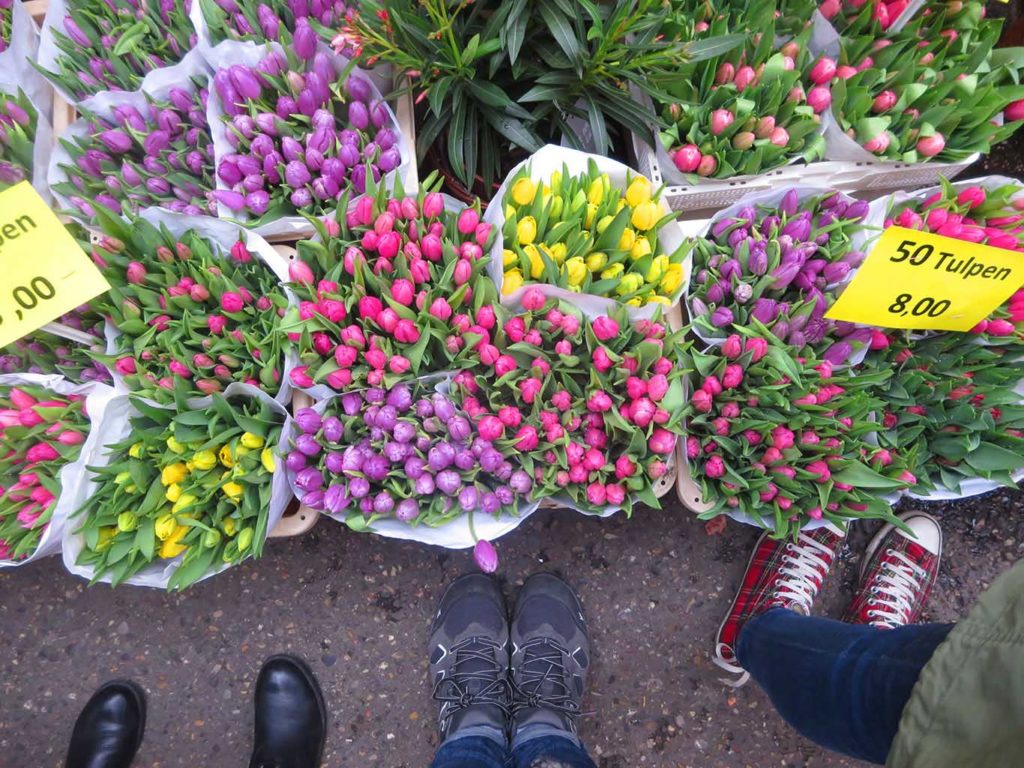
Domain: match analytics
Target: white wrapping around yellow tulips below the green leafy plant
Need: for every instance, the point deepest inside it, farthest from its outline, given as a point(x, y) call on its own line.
point(542, 164)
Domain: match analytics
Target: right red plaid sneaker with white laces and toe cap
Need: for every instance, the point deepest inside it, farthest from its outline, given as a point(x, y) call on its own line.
point(898, 574)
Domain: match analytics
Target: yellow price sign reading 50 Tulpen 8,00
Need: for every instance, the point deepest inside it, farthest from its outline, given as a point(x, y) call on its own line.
point(921, 281)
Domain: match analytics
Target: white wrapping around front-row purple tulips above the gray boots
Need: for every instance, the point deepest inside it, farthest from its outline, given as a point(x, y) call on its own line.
point(456, 534)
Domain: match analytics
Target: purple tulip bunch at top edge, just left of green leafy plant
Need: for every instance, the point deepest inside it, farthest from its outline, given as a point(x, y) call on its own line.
point(229, 20)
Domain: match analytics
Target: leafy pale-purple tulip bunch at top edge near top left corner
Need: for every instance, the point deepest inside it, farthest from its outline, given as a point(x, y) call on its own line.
point(113, 45)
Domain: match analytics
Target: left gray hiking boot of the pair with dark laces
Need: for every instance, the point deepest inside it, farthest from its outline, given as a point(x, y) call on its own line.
point(470, 657)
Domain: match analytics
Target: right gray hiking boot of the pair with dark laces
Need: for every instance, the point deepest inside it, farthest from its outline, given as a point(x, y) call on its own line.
point(550, 656)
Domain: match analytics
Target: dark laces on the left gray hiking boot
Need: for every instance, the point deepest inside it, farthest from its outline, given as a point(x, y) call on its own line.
point(455, 691)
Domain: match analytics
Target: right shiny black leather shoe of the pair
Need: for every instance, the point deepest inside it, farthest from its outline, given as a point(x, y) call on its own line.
point(291, 719)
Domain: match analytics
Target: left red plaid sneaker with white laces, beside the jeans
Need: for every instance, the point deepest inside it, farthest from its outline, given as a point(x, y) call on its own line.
point(786, 575)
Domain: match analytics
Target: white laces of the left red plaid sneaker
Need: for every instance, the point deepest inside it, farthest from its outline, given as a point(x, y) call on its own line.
point(804, 567)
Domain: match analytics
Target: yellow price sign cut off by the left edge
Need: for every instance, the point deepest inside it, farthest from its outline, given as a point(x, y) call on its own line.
point(45, 272)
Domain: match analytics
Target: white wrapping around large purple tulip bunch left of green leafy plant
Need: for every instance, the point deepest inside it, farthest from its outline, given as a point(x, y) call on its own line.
point(249, 55)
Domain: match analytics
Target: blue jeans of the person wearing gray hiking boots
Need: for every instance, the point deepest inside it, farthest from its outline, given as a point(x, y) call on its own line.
point(488, 748)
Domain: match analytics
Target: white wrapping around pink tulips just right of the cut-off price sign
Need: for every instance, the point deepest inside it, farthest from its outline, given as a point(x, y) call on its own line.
point(224, 235)
